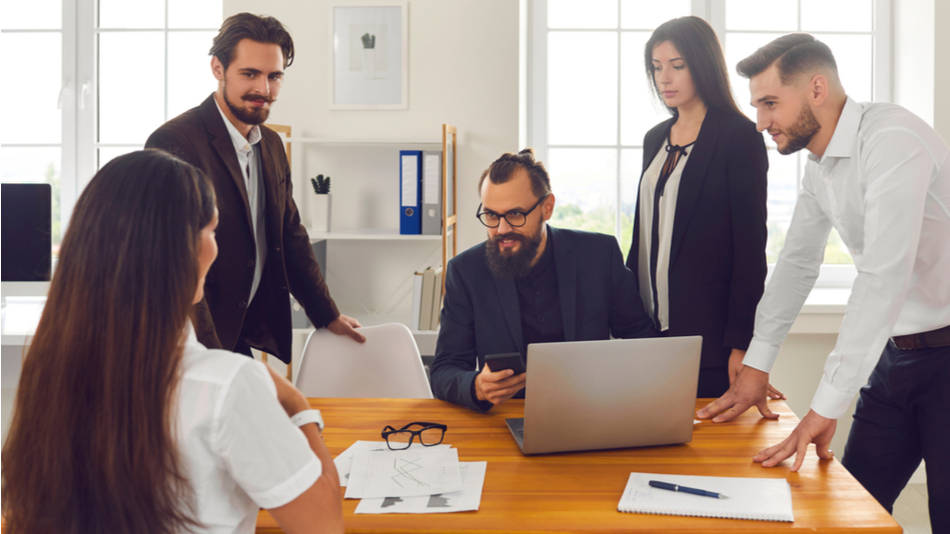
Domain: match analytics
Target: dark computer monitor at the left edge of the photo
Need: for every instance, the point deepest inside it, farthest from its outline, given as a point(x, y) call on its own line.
point(26, 240)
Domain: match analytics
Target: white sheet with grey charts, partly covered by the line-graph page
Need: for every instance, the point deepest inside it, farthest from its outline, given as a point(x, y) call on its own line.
point(468, 499)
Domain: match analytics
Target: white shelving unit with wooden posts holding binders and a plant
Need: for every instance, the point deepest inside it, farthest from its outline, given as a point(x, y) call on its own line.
point(364, 224)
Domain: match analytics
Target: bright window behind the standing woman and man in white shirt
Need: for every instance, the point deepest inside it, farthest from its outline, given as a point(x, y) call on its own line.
point(591, 103)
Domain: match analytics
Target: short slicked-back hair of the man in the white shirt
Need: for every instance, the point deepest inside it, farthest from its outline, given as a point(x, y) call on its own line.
point(794, 54)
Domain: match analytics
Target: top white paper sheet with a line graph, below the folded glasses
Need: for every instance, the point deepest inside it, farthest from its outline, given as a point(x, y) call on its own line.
point(422, 471)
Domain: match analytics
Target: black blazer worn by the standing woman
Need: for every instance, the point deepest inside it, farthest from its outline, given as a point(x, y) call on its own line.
point(717, 256)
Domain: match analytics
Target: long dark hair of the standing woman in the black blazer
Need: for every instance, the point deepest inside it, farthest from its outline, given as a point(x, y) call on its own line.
point(696, 41)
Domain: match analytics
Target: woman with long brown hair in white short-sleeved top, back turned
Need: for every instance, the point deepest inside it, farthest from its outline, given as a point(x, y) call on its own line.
point(123, 421)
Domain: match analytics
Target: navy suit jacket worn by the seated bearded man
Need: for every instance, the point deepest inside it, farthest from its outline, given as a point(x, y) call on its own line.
point(481, 315)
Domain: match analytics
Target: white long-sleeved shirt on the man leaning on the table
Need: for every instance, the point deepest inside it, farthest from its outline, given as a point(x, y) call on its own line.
point(884, 184)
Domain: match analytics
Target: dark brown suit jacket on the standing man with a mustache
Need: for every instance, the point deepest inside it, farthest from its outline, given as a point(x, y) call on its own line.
point(199, 137)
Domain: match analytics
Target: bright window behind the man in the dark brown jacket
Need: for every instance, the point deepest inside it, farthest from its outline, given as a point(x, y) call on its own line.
point(97, 77)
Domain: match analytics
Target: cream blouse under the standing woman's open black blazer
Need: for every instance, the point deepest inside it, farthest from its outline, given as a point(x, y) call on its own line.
point(667, 214)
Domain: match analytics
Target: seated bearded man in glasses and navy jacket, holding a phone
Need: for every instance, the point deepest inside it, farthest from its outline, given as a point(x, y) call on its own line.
point(527, 283)
